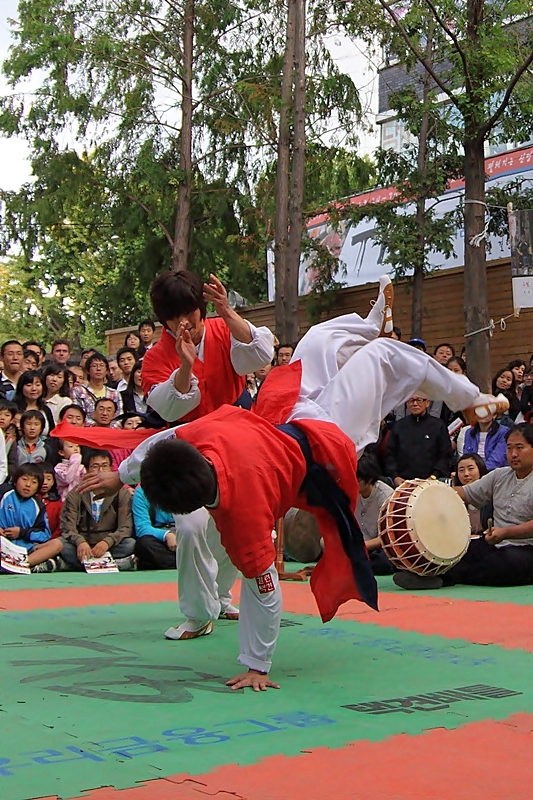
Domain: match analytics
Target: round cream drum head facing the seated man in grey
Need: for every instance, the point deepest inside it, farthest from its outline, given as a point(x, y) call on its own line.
point(440, 520)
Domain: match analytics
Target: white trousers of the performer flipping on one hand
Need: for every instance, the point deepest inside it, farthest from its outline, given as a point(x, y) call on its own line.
point(355, 379)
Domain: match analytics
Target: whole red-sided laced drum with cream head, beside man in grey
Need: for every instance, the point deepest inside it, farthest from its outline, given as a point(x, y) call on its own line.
point(424, 527)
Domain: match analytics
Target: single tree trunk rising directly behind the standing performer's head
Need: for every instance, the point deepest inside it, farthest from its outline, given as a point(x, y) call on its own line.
point(182, 225)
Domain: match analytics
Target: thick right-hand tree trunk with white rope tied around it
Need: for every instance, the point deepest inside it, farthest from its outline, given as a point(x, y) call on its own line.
point(475, 277)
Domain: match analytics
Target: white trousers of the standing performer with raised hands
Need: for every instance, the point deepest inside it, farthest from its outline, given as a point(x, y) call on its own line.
point(205, 572)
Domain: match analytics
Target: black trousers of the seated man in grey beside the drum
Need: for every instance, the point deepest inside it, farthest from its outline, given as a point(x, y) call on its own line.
point(486, 565)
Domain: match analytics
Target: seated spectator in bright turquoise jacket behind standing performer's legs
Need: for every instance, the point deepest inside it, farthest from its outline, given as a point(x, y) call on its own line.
point(155, 531)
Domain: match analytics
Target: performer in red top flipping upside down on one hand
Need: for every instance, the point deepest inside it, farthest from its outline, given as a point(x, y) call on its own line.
point(297, 450)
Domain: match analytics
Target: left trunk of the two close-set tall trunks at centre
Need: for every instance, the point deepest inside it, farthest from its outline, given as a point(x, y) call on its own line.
point(281, 219)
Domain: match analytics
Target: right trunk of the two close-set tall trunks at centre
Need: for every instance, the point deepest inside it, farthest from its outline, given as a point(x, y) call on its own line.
point(296, 200)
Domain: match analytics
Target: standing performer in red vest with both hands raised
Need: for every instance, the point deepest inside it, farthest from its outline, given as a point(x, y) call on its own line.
point(198, 365)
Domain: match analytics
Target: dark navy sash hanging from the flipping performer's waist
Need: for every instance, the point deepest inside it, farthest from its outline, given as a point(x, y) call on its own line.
point(322, 491)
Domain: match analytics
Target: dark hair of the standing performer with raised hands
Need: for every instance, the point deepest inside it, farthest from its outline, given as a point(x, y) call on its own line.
point(174, 294)
